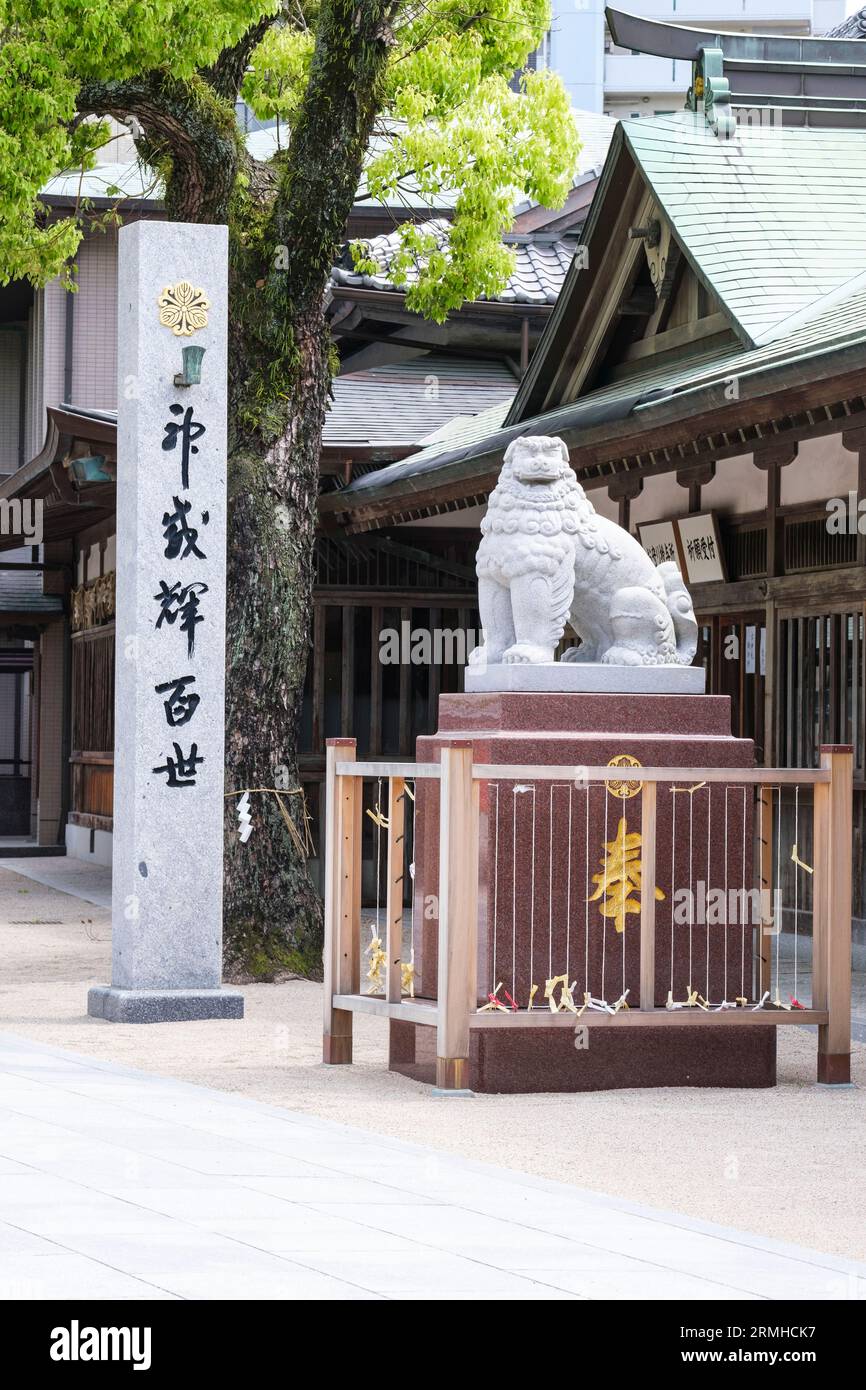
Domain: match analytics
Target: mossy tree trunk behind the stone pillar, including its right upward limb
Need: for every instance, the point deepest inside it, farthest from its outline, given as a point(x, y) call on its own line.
point(279, 394)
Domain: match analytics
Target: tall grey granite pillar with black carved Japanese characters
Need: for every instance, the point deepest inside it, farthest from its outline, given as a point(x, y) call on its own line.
point(169, 751)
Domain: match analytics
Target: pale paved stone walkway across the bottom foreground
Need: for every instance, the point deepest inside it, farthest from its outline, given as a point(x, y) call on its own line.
point(120, 1185)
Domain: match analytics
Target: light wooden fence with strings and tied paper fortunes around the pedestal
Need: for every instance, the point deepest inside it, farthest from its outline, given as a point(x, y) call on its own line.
point(455, 1013)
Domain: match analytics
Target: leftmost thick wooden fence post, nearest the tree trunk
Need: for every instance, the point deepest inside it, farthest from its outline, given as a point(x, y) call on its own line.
point(343, 897)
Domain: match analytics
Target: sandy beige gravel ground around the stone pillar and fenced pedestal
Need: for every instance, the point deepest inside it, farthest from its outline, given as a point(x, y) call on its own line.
point(785, 1164)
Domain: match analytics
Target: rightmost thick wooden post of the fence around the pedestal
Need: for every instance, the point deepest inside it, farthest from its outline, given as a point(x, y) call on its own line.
point(835, 938)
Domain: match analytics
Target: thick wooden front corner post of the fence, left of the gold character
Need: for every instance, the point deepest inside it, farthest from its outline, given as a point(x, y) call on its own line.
point(458, 915)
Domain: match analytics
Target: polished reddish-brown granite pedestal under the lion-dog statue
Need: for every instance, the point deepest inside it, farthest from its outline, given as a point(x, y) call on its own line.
point(548, 854)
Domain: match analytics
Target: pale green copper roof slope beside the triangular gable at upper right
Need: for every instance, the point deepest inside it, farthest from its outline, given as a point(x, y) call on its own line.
point(772, 219)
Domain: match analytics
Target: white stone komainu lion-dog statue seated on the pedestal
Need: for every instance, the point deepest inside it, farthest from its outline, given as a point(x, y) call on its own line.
point(547, 558)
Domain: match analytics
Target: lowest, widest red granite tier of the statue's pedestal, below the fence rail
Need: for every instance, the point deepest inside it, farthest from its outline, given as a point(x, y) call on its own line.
point(546, 1060)
